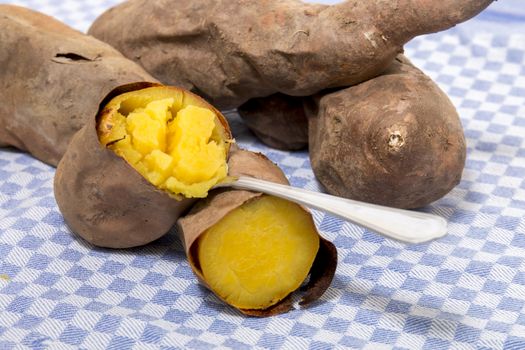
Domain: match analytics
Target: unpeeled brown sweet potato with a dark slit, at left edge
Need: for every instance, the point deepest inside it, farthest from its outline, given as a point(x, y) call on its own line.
point(52, 80)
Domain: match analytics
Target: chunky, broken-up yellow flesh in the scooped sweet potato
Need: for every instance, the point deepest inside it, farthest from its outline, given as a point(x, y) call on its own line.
point(176, 146)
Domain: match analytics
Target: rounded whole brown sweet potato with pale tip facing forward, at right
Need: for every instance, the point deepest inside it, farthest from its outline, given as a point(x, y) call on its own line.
point(395, 140)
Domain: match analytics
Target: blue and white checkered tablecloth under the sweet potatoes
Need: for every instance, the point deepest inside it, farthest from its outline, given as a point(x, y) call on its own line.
point(464, 291)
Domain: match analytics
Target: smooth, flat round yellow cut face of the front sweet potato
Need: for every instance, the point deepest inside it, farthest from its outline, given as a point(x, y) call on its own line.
point(259, 253)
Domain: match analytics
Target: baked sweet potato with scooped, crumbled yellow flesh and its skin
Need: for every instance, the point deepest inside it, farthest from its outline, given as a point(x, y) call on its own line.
point(114, 183)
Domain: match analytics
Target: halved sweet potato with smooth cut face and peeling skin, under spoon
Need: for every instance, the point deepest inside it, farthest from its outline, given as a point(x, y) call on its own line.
point(253, 250)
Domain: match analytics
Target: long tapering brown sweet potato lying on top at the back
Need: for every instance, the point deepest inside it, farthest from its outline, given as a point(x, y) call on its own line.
point(229, 51)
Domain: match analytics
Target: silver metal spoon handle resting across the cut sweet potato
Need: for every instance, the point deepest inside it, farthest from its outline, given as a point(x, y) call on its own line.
point(403, 225)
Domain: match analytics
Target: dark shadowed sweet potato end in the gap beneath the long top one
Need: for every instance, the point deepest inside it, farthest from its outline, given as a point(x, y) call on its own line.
point(278, 120)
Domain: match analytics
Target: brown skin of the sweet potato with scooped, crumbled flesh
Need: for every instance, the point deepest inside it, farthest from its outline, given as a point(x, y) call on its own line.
point(103, 199)
